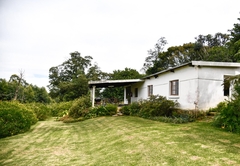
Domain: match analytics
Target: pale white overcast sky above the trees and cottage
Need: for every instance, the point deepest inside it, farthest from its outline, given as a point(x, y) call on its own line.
point(36, 35)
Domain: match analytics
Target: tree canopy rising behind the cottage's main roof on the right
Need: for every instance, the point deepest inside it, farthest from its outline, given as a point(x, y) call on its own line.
point(219, 47)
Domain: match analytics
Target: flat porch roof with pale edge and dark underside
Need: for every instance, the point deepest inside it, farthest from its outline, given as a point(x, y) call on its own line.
point(113, 83)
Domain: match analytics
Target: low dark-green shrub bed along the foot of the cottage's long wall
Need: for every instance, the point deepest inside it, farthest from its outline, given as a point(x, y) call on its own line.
point(160, 109)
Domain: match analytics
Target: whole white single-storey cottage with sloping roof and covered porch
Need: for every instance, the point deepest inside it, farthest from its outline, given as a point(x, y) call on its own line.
point(197, 84)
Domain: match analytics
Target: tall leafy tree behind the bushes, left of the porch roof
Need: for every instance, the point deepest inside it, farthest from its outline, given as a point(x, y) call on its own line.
point(68, 81)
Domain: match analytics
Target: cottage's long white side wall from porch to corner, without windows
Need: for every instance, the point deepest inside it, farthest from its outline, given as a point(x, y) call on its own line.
point(187, 77)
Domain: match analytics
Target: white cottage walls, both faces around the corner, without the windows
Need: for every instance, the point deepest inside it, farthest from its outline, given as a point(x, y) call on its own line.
point(199, 87)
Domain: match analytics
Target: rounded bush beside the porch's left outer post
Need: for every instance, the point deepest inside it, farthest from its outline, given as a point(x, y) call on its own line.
point(80, 107)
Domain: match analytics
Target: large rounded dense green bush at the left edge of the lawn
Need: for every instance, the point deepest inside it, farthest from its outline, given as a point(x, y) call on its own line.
point(15, 118)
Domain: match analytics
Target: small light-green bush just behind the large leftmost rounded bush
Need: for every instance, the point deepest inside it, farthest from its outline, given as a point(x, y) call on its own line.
point(41, 110)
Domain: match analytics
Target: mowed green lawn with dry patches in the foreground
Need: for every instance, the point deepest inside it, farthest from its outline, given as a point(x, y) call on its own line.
point(121, 141)
